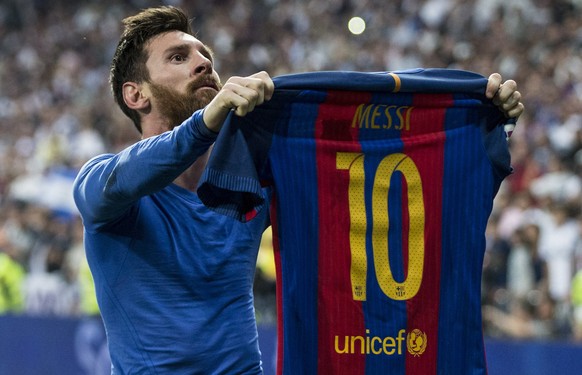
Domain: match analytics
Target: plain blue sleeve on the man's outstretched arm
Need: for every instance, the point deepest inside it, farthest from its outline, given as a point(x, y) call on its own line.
point(109, 184)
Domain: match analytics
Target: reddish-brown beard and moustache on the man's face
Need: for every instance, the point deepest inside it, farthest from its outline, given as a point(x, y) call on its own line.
point(176, 107)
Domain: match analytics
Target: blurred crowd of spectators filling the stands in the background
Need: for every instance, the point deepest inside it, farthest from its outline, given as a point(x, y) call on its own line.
point(56, 111)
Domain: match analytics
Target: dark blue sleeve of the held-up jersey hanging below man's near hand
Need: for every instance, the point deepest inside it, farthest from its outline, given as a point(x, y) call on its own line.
point(234, 180)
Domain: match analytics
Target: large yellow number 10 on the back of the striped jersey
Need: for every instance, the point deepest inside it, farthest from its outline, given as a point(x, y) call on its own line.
point(354, 162)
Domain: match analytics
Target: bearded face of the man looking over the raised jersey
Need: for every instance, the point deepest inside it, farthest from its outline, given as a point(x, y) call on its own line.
point(182, 77)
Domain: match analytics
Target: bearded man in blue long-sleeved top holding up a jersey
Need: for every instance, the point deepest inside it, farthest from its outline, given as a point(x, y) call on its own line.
point(173, 278)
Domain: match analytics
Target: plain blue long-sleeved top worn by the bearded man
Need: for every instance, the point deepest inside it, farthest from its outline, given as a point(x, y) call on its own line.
point(173, 279)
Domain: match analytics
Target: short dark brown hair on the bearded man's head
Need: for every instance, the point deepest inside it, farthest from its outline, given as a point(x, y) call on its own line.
point(129, 61)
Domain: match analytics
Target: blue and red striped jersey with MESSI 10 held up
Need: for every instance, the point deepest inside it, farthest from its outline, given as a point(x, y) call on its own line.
point(383, 184)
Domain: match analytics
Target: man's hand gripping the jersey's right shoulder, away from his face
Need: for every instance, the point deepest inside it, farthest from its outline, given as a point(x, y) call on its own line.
point(505, 96)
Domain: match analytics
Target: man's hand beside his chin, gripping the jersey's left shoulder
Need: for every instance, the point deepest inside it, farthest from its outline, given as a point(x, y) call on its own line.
point(239, 94)
